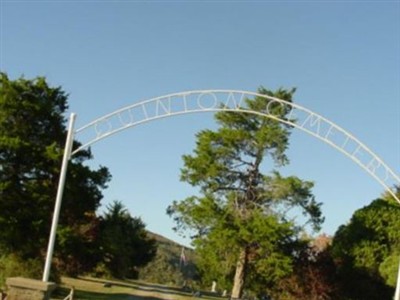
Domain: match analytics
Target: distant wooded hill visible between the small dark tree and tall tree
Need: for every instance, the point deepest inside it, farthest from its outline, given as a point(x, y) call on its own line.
point(169, 267)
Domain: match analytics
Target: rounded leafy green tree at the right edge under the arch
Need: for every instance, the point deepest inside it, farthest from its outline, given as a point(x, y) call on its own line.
point(367, 250)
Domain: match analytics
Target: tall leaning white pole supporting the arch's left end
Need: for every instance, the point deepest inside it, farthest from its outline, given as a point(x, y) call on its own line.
point(60, 190)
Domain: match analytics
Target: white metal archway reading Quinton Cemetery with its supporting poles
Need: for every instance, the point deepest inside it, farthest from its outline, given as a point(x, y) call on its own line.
point(214, 101)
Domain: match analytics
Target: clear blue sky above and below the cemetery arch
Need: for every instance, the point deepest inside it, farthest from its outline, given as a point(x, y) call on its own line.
point(343, 57)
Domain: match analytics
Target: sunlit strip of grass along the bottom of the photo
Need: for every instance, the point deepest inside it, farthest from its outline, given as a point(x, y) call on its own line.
point(91, 288)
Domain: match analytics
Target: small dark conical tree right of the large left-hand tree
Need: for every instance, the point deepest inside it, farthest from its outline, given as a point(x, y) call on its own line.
point(124, 242)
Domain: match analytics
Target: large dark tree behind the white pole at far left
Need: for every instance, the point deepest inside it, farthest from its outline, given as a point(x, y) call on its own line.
point(32, 138)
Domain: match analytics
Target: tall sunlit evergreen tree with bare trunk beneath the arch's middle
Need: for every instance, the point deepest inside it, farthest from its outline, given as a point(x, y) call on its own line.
point(241, 212)
